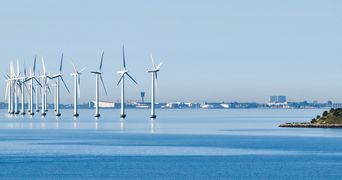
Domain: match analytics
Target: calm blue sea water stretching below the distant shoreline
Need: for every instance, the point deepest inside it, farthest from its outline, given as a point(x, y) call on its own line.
point(180, 144)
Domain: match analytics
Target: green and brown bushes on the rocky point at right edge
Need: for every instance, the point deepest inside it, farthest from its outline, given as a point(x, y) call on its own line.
point(334, 116)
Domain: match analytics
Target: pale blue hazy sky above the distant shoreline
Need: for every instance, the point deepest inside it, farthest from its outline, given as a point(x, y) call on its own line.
point(214, 50)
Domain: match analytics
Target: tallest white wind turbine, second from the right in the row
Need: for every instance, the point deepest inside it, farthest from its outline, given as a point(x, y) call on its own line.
point(122, 80)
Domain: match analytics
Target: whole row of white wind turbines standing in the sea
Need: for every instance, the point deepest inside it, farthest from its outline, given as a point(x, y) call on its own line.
point(36, 84)
